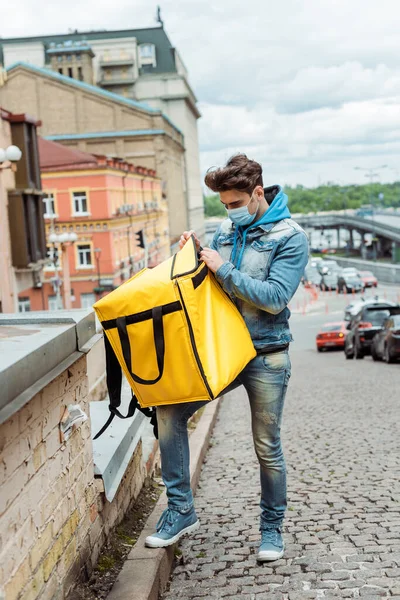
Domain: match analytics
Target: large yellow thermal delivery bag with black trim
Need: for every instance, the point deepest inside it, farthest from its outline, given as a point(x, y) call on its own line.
point(176, 334)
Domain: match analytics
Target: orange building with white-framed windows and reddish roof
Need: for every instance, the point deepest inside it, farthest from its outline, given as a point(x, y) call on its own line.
point(106, 202)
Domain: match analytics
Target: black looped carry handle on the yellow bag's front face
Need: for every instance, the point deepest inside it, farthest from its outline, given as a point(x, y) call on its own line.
point(159, 342)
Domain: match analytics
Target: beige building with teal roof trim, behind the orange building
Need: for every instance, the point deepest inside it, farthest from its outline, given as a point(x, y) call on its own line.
point(96, 121)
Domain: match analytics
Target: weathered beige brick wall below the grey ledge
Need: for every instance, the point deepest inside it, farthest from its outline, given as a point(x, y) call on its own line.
point(54, 516)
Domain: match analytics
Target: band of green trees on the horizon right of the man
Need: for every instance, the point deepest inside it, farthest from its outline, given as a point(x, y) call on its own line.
point(336, 197)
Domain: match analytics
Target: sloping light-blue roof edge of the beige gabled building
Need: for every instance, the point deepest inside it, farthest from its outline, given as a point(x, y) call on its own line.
point(94, 89)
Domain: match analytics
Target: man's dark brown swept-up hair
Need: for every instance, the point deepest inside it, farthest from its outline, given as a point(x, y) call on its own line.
point(240, 173)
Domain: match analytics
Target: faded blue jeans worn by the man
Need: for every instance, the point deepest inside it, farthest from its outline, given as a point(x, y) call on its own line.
point(265, 379)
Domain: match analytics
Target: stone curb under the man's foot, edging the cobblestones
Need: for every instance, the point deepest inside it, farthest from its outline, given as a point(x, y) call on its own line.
point(146, 571)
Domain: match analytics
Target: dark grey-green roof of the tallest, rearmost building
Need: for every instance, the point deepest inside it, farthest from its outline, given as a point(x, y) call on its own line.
point(151, 35)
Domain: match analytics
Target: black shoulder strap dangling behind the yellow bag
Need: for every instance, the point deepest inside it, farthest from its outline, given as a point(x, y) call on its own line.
point(114, 386)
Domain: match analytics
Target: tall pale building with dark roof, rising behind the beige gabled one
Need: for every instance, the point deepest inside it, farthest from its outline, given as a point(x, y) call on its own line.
point(137, 64)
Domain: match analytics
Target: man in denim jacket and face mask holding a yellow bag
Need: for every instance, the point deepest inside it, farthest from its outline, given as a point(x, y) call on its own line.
point(258, 256)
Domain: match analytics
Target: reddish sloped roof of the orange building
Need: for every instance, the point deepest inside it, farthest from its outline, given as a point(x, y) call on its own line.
point(56, 157)
